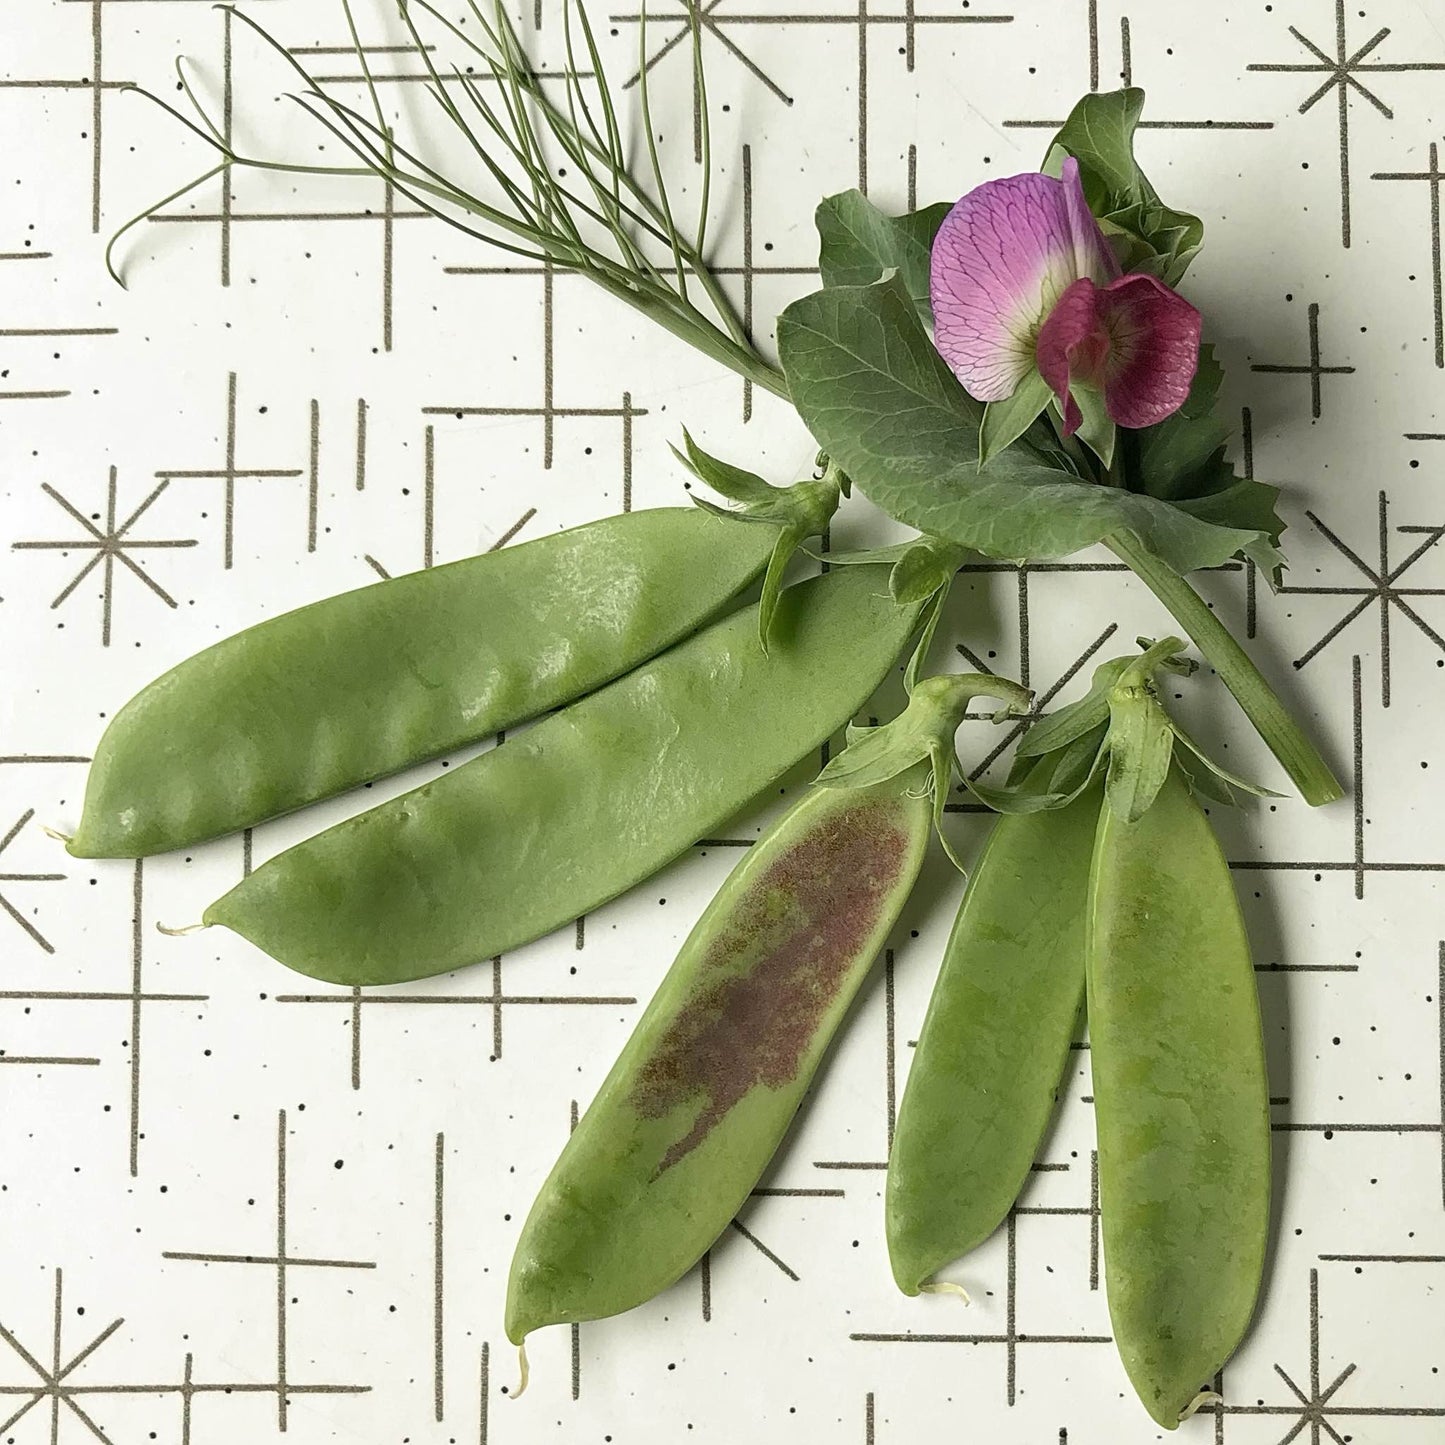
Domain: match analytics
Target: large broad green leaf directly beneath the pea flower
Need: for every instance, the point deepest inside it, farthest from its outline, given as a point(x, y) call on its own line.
point(866, 379)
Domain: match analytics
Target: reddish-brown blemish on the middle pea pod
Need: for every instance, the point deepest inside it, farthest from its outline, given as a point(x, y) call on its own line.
point(803, 924)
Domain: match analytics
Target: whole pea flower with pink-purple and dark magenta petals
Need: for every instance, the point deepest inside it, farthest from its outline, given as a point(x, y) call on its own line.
point(1028, 294)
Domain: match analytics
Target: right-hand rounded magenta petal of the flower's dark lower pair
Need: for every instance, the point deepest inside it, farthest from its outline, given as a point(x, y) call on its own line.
point(1154, 350)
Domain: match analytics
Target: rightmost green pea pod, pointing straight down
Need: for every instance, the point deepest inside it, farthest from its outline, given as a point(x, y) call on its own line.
point(1180, 1096)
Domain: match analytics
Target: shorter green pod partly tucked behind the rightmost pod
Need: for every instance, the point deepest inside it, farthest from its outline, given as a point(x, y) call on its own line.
point(995, 1043)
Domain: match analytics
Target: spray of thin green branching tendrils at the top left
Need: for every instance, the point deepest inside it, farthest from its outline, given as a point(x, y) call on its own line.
point(608, 225)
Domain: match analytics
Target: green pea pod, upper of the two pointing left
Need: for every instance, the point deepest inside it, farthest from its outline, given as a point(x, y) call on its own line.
point(337, 694)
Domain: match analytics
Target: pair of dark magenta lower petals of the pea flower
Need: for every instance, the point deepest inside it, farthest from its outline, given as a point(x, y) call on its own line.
point(1135, 337)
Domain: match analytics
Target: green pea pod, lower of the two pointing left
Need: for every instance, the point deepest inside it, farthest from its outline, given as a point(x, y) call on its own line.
point(582, 807)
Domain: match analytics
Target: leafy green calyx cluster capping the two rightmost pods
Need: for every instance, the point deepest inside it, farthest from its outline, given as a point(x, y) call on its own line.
point(1122, 730)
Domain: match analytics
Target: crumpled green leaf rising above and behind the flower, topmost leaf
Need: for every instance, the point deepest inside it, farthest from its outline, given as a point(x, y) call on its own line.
point(1147, 235)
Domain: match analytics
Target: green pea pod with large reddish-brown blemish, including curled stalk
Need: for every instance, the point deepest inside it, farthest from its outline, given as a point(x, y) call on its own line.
point(703, 1093)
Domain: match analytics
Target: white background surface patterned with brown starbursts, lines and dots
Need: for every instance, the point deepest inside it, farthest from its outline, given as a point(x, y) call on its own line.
point(235, 1204)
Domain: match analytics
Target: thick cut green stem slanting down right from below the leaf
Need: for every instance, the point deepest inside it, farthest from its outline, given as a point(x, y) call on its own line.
point(1287, 741)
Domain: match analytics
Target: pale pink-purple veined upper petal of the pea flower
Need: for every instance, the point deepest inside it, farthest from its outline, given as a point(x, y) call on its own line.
point(1004, 256)
